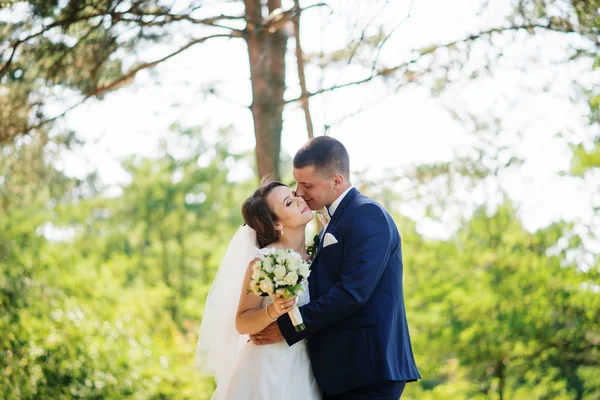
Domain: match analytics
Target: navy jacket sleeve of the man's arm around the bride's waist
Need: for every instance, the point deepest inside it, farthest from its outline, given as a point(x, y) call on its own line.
point(366, 254)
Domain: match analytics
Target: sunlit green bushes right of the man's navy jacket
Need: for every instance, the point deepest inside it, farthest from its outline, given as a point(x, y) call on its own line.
point(499, 312)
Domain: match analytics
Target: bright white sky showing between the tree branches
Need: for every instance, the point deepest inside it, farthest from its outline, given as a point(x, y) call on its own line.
point(410, 126)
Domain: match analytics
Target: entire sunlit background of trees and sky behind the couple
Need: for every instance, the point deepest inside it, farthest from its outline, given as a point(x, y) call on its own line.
point(128, 145)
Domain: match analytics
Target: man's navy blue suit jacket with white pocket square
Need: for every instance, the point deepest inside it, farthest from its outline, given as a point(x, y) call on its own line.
point(356, 322)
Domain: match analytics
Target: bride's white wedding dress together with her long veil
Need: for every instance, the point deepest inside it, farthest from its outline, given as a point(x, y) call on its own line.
point(243, 370)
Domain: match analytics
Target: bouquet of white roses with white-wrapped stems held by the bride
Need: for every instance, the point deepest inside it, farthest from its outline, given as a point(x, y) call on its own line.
point(281, 272)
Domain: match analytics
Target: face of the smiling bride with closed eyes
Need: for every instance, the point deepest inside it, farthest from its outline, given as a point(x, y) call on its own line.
point(291, 211)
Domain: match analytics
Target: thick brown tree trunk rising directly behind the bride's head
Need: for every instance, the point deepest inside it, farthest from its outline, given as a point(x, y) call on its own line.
point(266, 50)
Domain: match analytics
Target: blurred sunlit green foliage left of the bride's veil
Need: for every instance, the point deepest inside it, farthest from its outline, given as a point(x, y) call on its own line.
point(113, 311)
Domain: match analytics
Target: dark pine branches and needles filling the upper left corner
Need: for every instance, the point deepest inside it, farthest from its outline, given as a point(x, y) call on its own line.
point(79, 47)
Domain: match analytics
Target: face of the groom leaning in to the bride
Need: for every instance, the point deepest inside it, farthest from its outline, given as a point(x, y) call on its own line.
point(314, 187)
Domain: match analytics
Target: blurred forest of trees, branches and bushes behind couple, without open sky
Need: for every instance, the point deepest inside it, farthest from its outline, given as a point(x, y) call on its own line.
point(102, 286)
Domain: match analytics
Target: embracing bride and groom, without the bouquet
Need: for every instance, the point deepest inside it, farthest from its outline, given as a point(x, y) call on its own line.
point(356, 344)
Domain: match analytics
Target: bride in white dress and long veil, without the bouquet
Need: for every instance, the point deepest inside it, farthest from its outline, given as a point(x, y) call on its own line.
point(275, 218)
